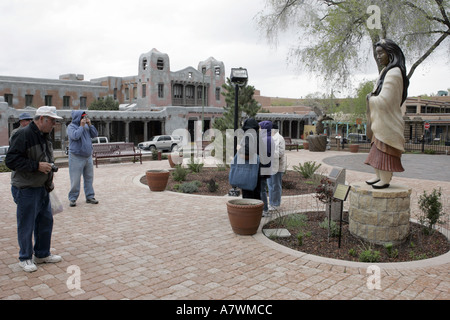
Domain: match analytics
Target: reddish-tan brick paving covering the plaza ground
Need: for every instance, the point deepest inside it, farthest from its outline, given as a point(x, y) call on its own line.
point(138, 244)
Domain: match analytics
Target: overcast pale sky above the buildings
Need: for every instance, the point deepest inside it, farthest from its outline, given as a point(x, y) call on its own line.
point(47, 38)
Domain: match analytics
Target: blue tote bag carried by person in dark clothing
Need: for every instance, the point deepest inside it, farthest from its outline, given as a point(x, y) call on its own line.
point(244, 173)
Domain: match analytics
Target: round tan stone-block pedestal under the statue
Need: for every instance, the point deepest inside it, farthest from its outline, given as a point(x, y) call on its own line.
point(379, 216)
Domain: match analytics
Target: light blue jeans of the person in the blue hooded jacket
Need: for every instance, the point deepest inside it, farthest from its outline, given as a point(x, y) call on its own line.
point(81, 166)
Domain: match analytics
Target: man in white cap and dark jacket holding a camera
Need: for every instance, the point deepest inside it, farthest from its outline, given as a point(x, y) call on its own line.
point(30, 156)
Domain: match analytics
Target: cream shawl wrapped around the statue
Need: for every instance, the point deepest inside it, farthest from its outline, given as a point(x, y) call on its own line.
point(385, 110)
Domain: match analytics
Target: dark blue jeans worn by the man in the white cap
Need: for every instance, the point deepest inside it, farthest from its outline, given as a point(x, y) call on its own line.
point(34, 215)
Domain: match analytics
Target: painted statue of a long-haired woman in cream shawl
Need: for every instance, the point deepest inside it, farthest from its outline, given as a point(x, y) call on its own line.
point(385, 125)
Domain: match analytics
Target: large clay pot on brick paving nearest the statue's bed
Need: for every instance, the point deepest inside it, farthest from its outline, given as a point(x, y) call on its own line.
point(245, 215)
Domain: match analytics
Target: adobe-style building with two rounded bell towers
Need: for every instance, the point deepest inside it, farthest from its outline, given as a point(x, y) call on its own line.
point(155, 101)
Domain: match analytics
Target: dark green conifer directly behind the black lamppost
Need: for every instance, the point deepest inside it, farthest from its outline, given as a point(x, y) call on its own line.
point(247, 106)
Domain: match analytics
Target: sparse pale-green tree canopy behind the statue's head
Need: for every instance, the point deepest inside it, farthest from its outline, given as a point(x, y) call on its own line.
point(335, 38)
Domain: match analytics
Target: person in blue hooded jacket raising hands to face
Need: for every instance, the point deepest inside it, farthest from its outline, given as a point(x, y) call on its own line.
point(80, 132)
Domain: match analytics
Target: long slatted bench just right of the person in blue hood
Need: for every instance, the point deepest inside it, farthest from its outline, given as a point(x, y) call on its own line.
point(115, 150)
